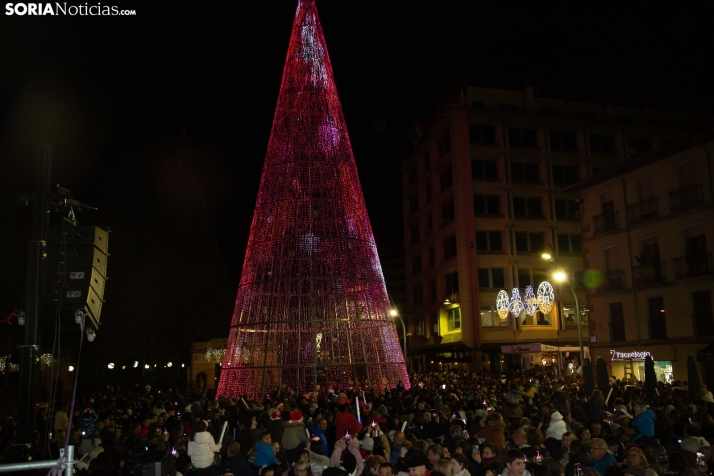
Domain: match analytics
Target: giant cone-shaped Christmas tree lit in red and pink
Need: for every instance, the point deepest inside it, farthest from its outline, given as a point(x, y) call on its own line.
point(312, 311)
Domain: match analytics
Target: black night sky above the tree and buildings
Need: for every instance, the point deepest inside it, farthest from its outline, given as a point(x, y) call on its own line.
point(113, 95)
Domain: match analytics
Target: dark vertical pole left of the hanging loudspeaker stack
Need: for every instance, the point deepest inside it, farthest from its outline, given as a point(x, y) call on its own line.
point(29, 351)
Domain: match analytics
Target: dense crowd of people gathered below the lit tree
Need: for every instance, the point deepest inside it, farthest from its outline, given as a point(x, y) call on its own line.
point(447, 424)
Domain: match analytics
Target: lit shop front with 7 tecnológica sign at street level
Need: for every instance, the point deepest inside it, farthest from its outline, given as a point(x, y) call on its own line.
point(619, 360)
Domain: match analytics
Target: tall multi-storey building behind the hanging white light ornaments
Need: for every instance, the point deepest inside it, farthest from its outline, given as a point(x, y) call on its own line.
point(482, 201)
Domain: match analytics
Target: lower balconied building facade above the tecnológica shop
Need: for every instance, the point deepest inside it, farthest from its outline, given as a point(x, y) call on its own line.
point(647, 229)
